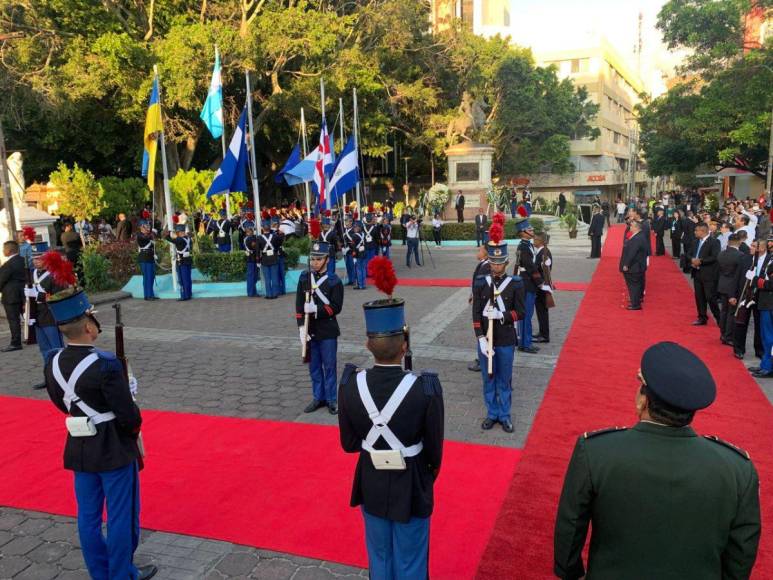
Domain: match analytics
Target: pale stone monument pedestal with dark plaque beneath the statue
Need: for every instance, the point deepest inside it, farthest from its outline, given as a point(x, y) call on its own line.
point(469, 170)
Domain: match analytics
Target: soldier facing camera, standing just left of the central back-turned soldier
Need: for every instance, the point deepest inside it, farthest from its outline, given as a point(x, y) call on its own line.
point(319, 298)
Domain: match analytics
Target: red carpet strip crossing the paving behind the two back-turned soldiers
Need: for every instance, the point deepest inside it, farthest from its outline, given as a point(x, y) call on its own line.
point(273, 485)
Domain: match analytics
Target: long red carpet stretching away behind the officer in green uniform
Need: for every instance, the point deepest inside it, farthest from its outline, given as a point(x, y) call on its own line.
point(593, 387)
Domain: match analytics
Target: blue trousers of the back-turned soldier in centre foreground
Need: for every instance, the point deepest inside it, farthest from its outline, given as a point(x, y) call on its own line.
point(397, 551)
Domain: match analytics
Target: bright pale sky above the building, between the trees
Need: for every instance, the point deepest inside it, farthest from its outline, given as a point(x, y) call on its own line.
point(573, 23)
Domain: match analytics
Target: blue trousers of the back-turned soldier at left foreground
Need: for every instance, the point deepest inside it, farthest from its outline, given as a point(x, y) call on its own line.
point(109, 558)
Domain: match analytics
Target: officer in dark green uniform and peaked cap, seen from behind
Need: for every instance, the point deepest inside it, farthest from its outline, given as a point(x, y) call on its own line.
point(662, 501)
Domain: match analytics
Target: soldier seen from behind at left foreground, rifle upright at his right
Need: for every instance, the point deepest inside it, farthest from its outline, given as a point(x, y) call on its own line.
point(103, 425)
